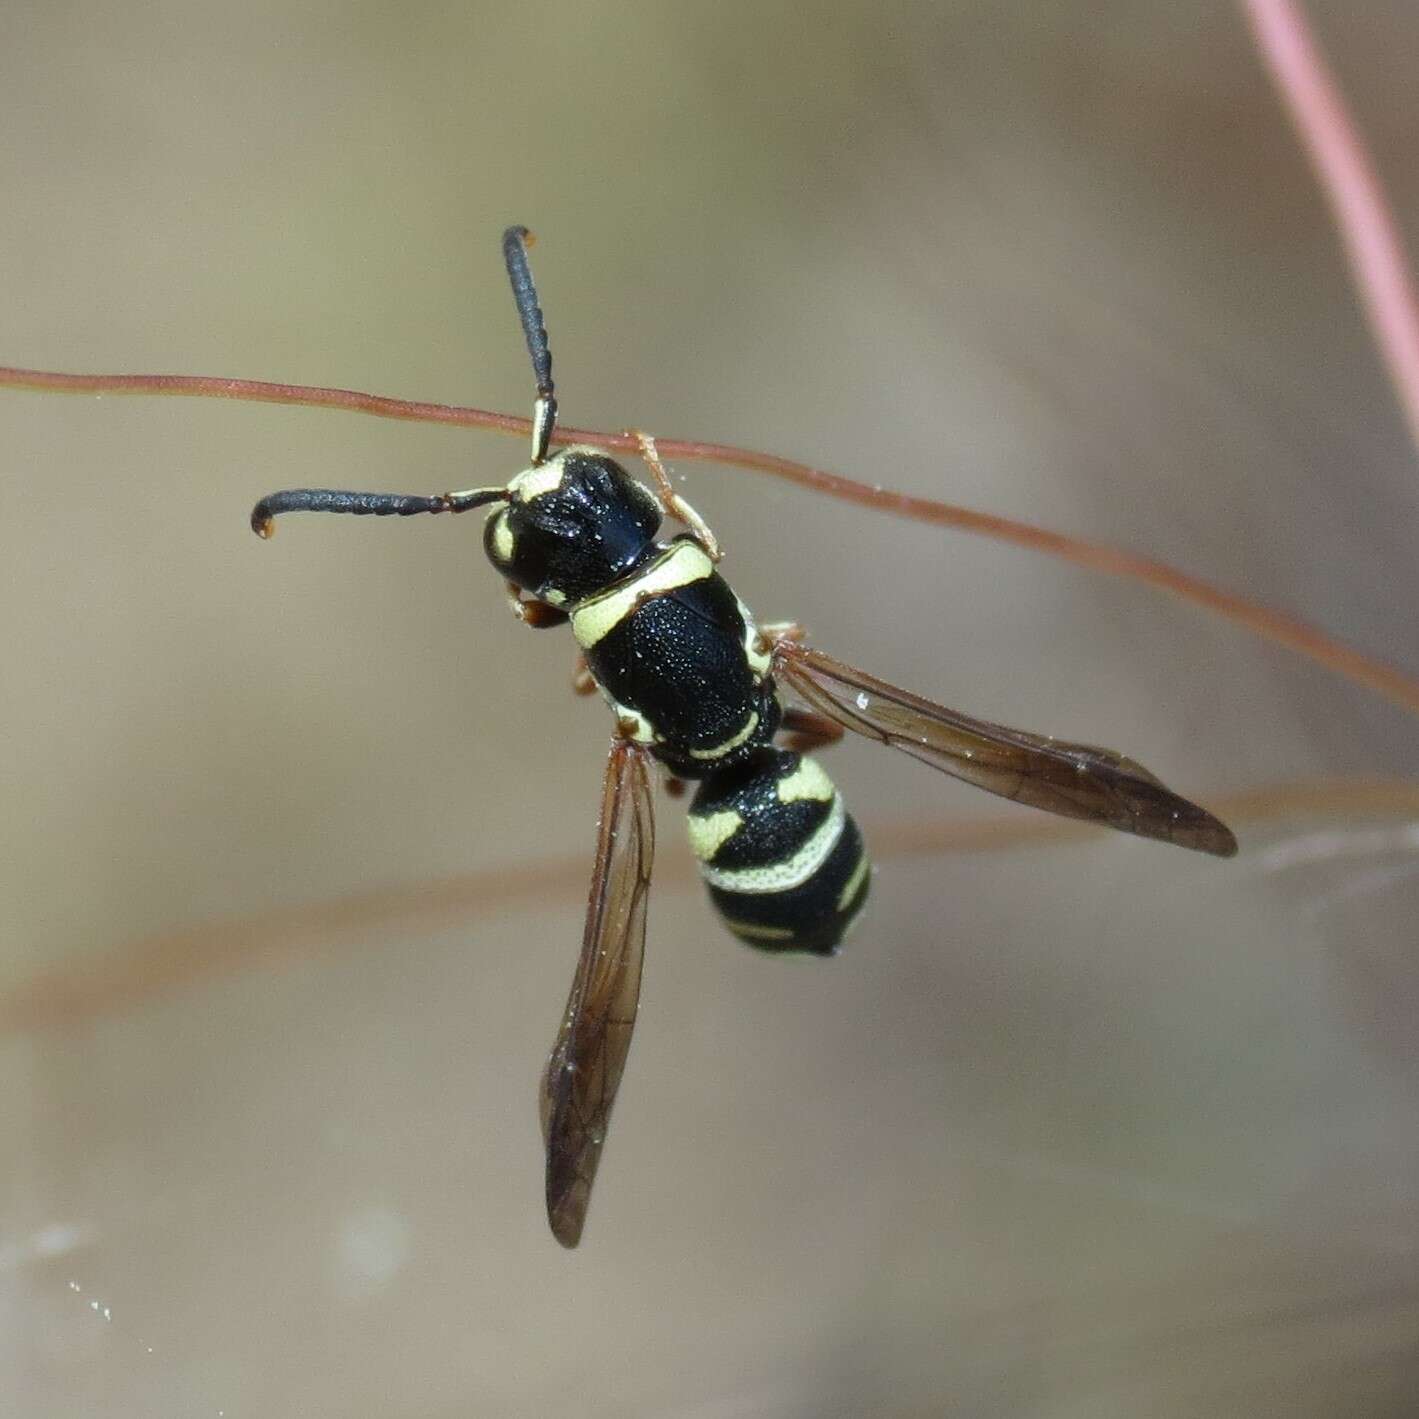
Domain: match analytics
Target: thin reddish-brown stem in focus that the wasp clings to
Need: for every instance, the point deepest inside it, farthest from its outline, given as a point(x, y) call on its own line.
point(1275, 626)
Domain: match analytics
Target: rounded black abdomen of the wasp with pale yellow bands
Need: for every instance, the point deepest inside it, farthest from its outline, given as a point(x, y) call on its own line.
point(784, 861)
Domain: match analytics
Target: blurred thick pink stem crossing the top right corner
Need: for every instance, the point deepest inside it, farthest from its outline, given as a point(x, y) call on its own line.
point(1347, 177)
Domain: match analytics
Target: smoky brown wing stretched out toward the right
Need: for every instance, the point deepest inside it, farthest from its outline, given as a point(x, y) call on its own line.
point(1071, 780)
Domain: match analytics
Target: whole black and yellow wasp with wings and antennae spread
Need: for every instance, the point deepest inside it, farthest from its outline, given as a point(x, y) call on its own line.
point(696, 685)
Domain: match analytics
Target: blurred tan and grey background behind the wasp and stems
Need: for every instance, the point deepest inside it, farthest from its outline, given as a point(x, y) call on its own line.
point(1081, 1130)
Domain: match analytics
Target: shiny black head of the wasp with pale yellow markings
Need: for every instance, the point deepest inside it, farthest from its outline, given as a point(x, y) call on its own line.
point(573, 527)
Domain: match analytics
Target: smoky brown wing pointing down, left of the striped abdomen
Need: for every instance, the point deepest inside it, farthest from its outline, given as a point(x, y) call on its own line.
point(590, 1055)
